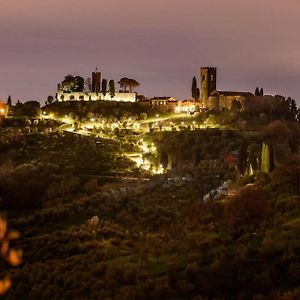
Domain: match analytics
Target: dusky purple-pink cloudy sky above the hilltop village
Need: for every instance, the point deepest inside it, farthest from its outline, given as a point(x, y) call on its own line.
point(162, 44)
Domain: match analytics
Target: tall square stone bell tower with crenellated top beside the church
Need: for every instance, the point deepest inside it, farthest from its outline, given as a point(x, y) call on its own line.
point(208, 79)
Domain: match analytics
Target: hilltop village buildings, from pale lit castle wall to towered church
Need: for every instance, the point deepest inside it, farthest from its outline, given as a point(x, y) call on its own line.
point(209, 98)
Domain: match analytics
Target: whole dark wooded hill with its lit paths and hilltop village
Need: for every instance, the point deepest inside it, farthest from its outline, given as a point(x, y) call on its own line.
point(110, 194)
